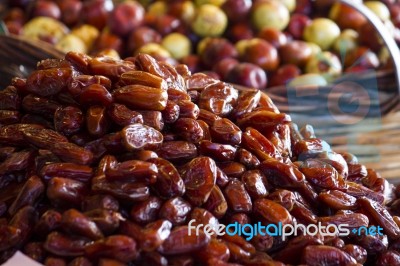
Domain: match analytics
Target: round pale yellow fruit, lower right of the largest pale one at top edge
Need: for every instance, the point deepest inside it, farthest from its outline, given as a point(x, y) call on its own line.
point(322, 31)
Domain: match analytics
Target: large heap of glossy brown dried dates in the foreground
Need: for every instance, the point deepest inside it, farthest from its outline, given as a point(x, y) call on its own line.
point(106, 162)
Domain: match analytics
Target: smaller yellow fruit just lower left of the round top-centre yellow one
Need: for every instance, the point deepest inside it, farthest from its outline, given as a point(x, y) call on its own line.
point(178, 45)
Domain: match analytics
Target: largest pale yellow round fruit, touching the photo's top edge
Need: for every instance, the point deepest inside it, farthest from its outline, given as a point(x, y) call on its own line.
point(271, 14)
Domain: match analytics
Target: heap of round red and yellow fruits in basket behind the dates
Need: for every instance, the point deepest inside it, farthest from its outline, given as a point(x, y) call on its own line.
point(259, 44)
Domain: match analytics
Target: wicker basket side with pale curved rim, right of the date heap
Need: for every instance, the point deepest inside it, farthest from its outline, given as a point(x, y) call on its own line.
point(358, 113)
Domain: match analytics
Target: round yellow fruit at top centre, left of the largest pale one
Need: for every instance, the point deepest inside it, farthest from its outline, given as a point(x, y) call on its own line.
point(209, 21)
